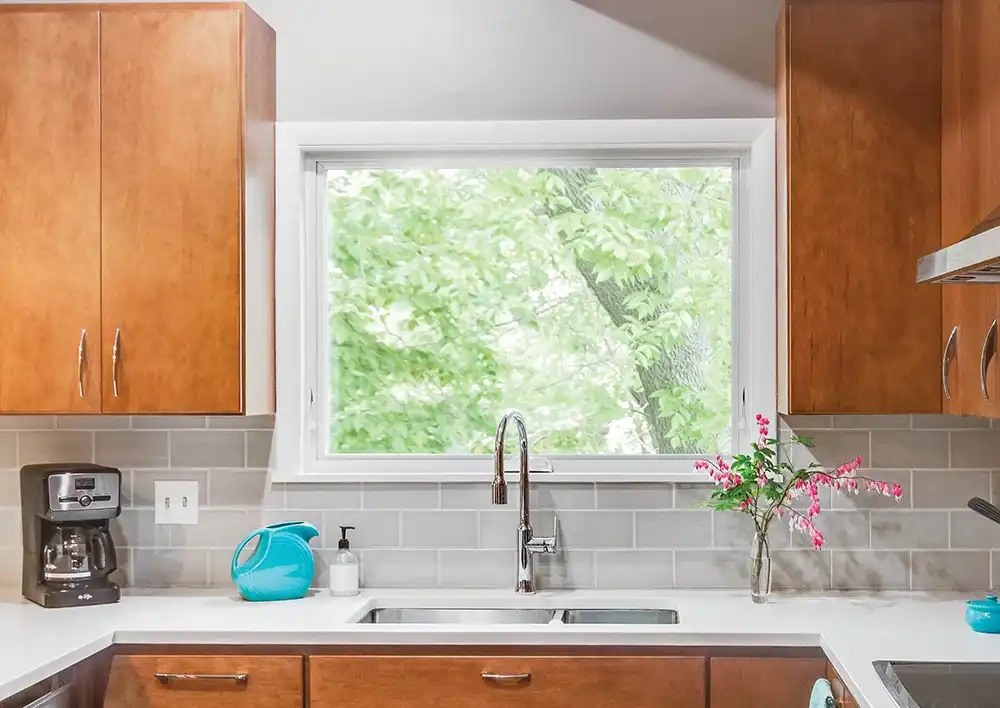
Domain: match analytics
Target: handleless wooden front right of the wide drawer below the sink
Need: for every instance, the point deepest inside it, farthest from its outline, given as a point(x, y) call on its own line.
point(774, 683)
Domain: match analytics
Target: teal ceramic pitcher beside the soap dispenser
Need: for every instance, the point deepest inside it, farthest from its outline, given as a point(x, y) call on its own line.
point(281, 567)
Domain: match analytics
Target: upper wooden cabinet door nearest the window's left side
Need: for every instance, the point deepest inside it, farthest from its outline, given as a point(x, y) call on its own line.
point(171, 210)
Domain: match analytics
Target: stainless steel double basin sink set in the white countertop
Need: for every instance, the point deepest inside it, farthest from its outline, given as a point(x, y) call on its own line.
point(479, 616)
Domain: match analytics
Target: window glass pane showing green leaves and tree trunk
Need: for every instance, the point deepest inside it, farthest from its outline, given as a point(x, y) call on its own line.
point(596, 301)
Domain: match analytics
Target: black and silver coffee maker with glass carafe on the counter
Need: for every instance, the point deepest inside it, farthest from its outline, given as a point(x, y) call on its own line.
point(66, 510)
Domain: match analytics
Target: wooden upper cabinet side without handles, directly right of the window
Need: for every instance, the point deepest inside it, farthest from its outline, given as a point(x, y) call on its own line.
point(859, 108)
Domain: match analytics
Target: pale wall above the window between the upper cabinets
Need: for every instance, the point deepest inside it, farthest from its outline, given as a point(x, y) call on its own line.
point(520, 59)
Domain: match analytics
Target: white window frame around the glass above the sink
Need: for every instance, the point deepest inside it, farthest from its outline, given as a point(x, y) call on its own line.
point(302, 148)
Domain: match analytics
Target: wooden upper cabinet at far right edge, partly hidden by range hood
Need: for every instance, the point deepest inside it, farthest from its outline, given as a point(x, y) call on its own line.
point(970, 171)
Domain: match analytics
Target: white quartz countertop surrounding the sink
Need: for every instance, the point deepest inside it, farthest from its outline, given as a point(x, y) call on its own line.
point(853, 629)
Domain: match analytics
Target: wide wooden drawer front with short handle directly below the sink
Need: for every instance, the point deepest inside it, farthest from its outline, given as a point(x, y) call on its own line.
point(534, 682)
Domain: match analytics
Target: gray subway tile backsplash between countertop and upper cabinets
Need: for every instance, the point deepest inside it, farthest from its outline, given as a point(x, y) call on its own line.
point(629, 535)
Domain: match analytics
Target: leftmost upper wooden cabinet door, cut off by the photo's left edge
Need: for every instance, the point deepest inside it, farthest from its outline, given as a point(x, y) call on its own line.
point(50, 220)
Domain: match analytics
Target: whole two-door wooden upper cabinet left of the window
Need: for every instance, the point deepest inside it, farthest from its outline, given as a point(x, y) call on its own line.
point(137, 196)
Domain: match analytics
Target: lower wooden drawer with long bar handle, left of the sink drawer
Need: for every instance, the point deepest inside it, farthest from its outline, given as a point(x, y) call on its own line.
point(205, 682)
